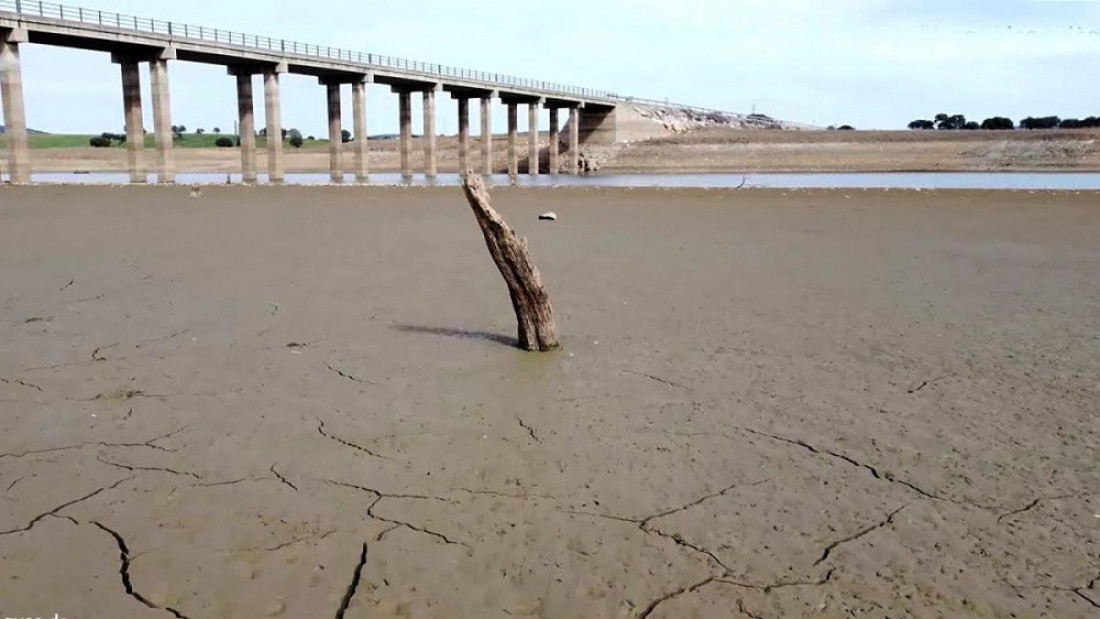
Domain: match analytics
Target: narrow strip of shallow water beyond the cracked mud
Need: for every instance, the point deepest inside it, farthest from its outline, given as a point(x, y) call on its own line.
point(893, 181)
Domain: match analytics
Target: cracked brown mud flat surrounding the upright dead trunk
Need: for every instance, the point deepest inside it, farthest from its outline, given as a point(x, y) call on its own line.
point(303, 403)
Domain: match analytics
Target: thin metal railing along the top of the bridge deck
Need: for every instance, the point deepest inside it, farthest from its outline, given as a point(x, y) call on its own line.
point(284, 48)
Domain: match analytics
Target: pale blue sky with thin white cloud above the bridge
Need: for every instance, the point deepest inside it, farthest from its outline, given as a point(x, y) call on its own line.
point(873, 64)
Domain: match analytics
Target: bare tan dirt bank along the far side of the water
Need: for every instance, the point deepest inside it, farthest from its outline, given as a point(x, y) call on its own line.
point(648, 147)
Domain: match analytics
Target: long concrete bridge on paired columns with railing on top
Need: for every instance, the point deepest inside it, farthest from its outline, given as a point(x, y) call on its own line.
point(131, 41)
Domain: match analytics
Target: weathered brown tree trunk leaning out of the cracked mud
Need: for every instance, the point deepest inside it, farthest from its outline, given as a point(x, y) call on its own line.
point(534, 314)
